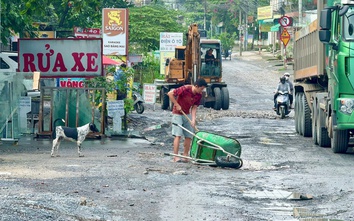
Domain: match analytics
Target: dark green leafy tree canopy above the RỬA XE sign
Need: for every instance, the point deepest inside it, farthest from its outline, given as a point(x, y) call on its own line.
point(19, 15)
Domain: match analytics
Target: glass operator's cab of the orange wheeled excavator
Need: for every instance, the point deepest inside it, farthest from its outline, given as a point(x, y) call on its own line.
point(211, 68)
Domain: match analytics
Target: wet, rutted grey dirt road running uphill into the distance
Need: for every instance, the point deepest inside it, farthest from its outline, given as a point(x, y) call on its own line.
point(131, 179)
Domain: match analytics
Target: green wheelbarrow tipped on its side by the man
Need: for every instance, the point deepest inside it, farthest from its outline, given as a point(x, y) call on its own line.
point(213, 150)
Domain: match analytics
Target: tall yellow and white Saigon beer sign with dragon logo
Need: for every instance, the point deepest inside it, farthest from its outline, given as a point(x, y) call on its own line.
point(115, 31)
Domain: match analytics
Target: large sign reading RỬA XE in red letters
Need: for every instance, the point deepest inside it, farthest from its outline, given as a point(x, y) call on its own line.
point(55, 58)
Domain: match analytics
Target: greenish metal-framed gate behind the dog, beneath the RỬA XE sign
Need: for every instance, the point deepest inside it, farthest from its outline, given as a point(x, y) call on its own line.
point(75, 105)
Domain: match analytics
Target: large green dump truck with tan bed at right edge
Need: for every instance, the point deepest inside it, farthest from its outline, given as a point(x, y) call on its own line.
point(324, 76)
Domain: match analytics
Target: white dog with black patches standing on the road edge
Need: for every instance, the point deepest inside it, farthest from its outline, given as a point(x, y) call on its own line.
point(77, 135)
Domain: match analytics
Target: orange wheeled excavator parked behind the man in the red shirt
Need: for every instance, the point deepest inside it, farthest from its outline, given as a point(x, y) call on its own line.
point(189, 64)
